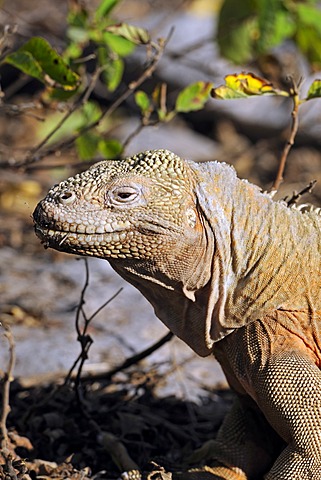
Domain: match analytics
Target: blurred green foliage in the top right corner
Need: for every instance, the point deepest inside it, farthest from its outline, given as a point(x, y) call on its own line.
point(250, 29)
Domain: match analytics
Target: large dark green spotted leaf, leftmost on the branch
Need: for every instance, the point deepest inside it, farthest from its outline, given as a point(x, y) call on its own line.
point(39, 60)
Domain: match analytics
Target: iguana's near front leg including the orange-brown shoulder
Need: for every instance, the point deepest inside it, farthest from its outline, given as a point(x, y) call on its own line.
point(278, 368)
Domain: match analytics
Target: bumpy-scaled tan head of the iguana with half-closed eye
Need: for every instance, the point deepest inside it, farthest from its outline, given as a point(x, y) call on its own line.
point(141, 208)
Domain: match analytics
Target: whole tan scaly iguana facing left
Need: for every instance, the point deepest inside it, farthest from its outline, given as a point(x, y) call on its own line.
point(229, 271)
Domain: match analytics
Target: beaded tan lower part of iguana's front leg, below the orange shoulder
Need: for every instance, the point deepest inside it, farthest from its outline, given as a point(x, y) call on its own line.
point(289, 393)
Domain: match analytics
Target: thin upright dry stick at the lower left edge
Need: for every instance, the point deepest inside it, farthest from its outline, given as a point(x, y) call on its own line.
point(6, 388)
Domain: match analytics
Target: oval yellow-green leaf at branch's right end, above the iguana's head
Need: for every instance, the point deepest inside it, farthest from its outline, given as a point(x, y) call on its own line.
point(193, 97)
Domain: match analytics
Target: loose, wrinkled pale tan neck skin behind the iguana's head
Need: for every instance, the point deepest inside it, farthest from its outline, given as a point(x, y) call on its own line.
point(267, 256)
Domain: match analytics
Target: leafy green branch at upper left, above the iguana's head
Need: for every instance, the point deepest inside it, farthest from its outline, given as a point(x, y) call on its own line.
point(66, 86)
